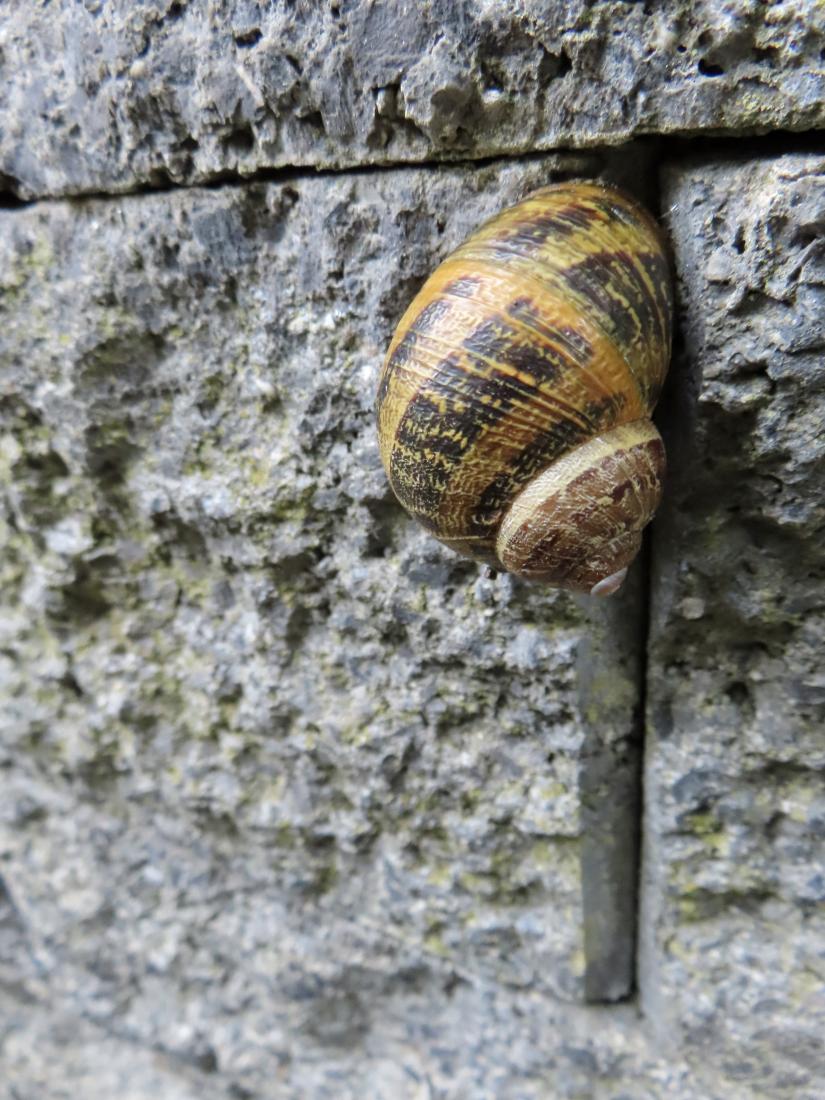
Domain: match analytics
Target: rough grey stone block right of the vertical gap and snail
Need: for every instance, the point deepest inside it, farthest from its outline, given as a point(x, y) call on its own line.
point(734, 921)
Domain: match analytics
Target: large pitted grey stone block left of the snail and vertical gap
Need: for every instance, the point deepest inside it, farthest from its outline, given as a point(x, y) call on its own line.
point(288, 789)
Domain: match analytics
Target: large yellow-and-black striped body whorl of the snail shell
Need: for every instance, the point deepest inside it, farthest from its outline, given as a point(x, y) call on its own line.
point(549, 327)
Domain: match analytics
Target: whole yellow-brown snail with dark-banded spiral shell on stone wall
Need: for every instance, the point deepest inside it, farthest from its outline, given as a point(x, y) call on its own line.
point(515, 400)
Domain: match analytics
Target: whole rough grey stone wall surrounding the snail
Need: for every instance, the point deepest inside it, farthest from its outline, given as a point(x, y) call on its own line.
point(293, 802)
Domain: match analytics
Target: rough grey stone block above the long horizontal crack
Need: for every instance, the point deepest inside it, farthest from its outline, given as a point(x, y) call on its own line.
point(112, 96)
